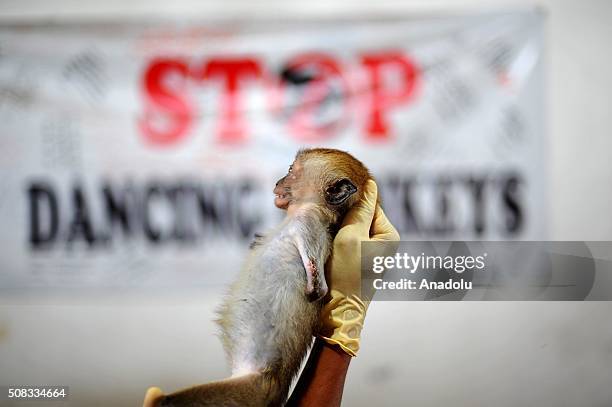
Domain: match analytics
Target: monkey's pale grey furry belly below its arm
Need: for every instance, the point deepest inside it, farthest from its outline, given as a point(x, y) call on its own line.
point(267, 322)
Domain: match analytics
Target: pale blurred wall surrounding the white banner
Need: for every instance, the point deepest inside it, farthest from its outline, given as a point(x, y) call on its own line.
point(109, 349)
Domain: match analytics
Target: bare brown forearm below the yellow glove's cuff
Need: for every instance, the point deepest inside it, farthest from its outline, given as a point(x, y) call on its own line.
point(322, 380)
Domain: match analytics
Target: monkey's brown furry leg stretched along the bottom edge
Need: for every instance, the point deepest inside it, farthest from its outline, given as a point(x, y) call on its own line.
point(243, 391)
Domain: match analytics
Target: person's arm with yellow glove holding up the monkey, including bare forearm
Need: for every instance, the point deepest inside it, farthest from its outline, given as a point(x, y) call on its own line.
point(322, 380)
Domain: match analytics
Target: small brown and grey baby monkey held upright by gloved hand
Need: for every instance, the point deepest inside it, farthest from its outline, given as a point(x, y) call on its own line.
point(271, 312)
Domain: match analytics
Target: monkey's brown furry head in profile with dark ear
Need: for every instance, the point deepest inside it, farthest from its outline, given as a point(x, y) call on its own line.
point(330, 179)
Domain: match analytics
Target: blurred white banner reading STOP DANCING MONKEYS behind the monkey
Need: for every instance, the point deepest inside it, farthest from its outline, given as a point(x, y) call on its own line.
point(144, 155)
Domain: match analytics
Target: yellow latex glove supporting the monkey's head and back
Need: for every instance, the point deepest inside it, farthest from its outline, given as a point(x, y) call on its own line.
point(343, 315)
